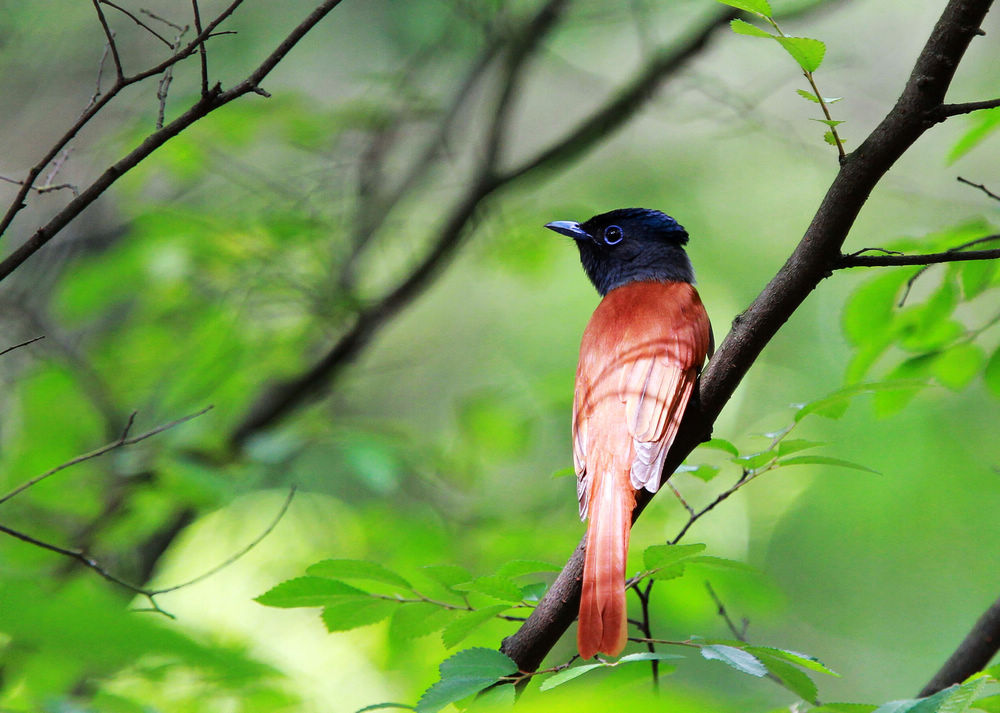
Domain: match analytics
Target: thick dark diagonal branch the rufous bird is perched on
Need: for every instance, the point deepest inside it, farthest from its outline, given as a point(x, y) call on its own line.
point(812, 260)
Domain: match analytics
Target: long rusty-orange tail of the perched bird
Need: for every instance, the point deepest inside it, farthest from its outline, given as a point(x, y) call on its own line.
point(603, 614)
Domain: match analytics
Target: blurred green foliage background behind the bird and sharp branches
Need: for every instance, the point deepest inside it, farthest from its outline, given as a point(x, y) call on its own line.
point(238, 255)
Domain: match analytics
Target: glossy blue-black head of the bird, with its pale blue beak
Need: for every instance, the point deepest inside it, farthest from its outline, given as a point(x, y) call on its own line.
point(629, 245)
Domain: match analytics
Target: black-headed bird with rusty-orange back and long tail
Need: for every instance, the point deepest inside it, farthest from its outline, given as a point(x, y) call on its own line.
point(641, 354)
